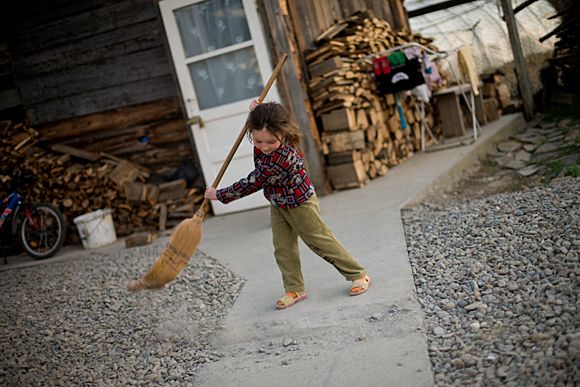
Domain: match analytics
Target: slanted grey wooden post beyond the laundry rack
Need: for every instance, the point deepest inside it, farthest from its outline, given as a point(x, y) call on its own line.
point(521, 69)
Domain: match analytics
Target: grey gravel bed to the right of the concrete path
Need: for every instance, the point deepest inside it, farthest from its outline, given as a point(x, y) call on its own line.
point(498, 280)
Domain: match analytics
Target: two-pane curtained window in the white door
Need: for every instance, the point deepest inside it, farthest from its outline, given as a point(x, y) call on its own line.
point(219, 52)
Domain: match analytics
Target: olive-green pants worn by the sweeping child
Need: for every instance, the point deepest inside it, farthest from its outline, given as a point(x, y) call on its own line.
point(305, 222)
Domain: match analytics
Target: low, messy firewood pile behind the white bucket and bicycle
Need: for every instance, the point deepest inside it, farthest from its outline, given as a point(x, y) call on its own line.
point(78, 182)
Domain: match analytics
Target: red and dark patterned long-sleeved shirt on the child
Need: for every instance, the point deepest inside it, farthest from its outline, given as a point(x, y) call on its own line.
point(280, 174)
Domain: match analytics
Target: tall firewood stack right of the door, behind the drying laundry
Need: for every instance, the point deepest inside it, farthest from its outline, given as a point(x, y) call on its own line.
point(362, 131)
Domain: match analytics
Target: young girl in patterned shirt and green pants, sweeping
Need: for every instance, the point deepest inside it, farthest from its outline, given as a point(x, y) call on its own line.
point(279, 172)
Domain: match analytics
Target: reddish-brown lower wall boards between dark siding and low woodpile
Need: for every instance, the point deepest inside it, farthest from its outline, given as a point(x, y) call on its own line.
point(153, 135)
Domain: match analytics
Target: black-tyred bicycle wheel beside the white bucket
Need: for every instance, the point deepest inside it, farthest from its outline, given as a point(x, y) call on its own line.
point(42, 231)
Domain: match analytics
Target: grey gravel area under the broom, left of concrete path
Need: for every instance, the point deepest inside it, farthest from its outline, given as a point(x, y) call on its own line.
point(74, 324)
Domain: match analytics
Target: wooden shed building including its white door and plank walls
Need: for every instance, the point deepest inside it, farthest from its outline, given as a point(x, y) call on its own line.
point(163, 82)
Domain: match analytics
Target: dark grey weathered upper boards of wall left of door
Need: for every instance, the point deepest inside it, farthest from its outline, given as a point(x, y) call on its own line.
point(73, 58)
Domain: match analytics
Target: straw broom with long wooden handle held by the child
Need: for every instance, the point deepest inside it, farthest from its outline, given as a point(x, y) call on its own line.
point(187, 235)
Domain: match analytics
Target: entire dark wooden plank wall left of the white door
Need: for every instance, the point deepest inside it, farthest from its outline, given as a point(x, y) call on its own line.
point(81, 66)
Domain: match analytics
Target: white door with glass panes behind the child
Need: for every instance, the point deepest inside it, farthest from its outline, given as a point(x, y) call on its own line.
point(222, 64)
